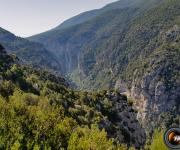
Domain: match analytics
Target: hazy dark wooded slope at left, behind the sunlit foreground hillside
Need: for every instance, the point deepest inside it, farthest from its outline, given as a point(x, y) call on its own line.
point(29, 52)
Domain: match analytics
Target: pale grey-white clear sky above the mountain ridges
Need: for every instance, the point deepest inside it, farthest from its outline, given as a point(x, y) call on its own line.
point(28, 17)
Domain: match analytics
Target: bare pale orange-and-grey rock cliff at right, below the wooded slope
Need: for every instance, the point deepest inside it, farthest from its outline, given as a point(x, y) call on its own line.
point(151, 97)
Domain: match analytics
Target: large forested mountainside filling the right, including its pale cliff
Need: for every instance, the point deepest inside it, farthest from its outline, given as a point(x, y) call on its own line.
point(133, 48)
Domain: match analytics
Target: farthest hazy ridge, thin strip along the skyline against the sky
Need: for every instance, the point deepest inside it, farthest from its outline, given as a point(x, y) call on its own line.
point(86, 16)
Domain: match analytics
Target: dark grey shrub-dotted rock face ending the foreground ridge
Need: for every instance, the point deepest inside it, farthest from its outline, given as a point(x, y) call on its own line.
point(123, 122)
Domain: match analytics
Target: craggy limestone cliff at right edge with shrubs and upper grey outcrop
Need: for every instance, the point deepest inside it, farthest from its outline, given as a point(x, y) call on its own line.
point(155, 85)
